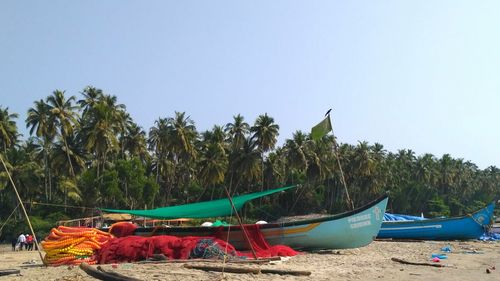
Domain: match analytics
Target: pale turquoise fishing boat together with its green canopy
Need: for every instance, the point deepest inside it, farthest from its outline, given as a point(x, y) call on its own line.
point(350, 229)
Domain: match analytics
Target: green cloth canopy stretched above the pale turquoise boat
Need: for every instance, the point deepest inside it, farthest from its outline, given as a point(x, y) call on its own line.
point(207, 209)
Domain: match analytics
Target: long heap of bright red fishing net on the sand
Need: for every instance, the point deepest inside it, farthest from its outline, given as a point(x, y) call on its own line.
point(135, 248)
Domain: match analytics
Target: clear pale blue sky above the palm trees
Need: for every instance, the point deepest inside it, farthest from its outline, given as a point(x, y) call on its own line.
point(421, 75)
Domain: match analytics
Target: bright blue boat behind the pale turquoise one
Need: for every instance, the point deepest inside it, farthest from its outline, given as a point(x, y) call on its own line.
point(470, 226)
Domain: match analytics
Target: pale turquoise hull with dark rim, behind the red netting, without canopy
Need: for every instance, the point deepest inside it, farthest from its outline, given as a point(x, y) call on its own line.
point(347, 230)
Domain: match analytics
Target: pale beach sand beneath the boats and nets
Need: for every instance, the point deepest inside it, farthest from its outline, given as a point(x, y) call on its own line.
point(468, 261)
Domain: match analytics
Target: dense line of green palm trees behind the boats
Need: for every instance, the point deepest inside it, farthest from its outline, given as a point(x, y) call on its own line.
point(87, 151)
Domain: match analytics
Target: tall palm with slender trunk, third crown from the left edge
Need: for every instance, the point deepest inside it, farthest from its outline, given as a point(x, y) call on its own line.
point(63, 116)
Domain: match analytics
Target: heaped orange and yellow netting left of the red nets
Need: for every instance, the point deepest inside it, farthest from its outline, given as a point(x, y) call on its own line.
point(73, 245)
